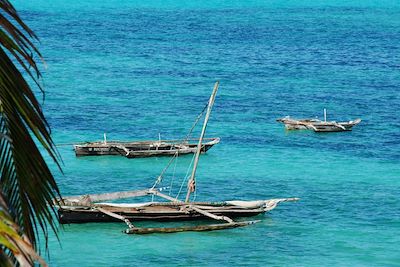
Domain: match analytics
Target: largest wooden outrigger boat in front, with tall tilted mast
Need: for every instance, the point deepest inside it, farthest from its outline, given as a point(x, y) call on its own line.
point(93, 208)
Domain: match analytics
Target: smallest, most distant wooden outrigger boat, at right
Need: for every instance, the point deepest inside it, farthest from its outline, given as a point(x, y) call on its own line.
point(317, 125)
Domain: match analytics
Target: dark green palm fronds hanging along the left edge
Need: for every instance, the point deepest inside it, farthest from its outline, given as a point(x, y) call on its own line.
point(27, 185)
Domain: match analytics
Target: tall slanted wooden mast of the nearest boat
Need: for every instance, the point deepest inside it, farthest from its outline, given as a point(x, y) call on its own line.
point(191, 181)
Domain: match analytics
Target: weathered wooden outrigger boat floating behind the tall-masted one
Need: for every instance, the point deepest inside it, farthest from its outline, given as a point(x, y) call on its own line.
point(140, 149)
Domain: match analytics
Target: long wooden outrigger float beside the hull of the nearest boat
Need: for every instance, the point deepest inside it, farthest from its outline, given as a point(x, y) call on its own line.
point(197, 228)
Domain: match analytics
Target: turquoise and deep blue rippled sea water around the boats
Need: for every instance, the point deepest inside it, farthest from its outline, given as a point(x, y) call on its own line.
point(135, 69)
